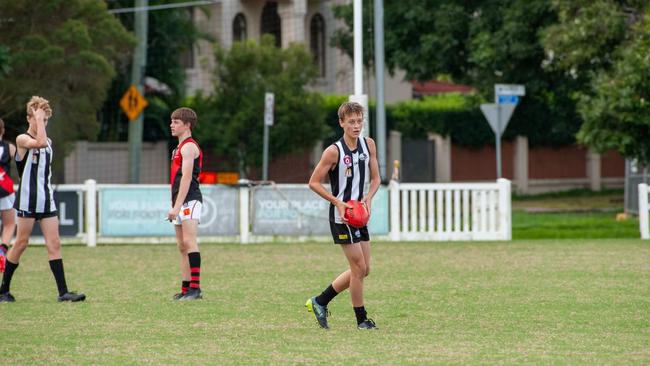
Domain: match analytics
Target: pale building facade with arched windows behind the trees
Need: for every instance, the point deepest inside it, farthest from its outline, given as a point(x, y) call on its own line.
point(310, 22)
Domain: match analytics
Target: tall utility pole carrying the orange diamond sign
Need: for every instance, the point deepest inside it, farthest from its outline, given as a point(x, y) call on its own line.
point(137, 73)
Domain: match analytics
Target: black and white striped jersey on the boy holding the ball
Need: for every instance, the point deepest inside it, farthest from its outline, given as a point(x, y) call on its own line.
point(351, 176)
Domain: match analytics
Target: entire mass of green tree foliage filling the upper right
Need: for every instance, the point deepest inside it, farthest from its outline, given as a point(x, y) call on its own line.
point(584, 62)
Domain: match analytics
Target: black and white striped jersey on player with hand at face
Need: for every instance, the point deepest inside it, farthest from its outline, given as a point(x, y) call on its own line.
point(35, 193)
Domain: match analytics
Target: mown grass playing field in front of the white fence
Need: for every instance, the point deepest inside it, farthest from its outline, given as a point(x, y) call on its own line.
point(577, 302)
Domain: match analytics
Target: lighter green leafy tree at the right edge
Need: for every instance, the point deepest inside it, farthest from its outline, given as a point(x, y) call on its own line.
point(608, 44)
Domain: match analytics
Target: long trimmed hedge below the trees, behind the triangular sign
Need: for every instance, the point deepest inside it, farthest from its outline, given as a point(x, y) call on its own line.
point(460, 117)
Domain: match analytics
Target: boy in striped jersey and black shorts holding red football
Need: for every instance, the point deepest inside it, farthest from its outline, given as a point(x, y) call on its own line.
point(350, 163)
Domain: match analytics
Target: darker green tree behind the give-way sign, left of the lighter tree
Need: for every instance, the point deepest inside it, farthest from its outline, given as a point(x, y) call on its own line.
point(481, 43)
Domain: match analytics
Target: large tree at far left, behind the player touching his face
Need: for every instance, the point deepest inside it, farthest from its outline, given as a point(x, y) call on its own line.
point(65, 51)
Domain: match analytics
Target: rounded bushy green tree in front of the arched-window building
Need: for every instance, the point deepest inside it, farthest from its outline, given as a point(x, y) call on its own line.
point(231, 119)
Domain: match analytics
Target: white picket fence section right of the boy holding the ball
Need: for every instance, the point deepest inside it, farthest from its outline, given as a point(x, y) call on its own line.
point(452, 211)
